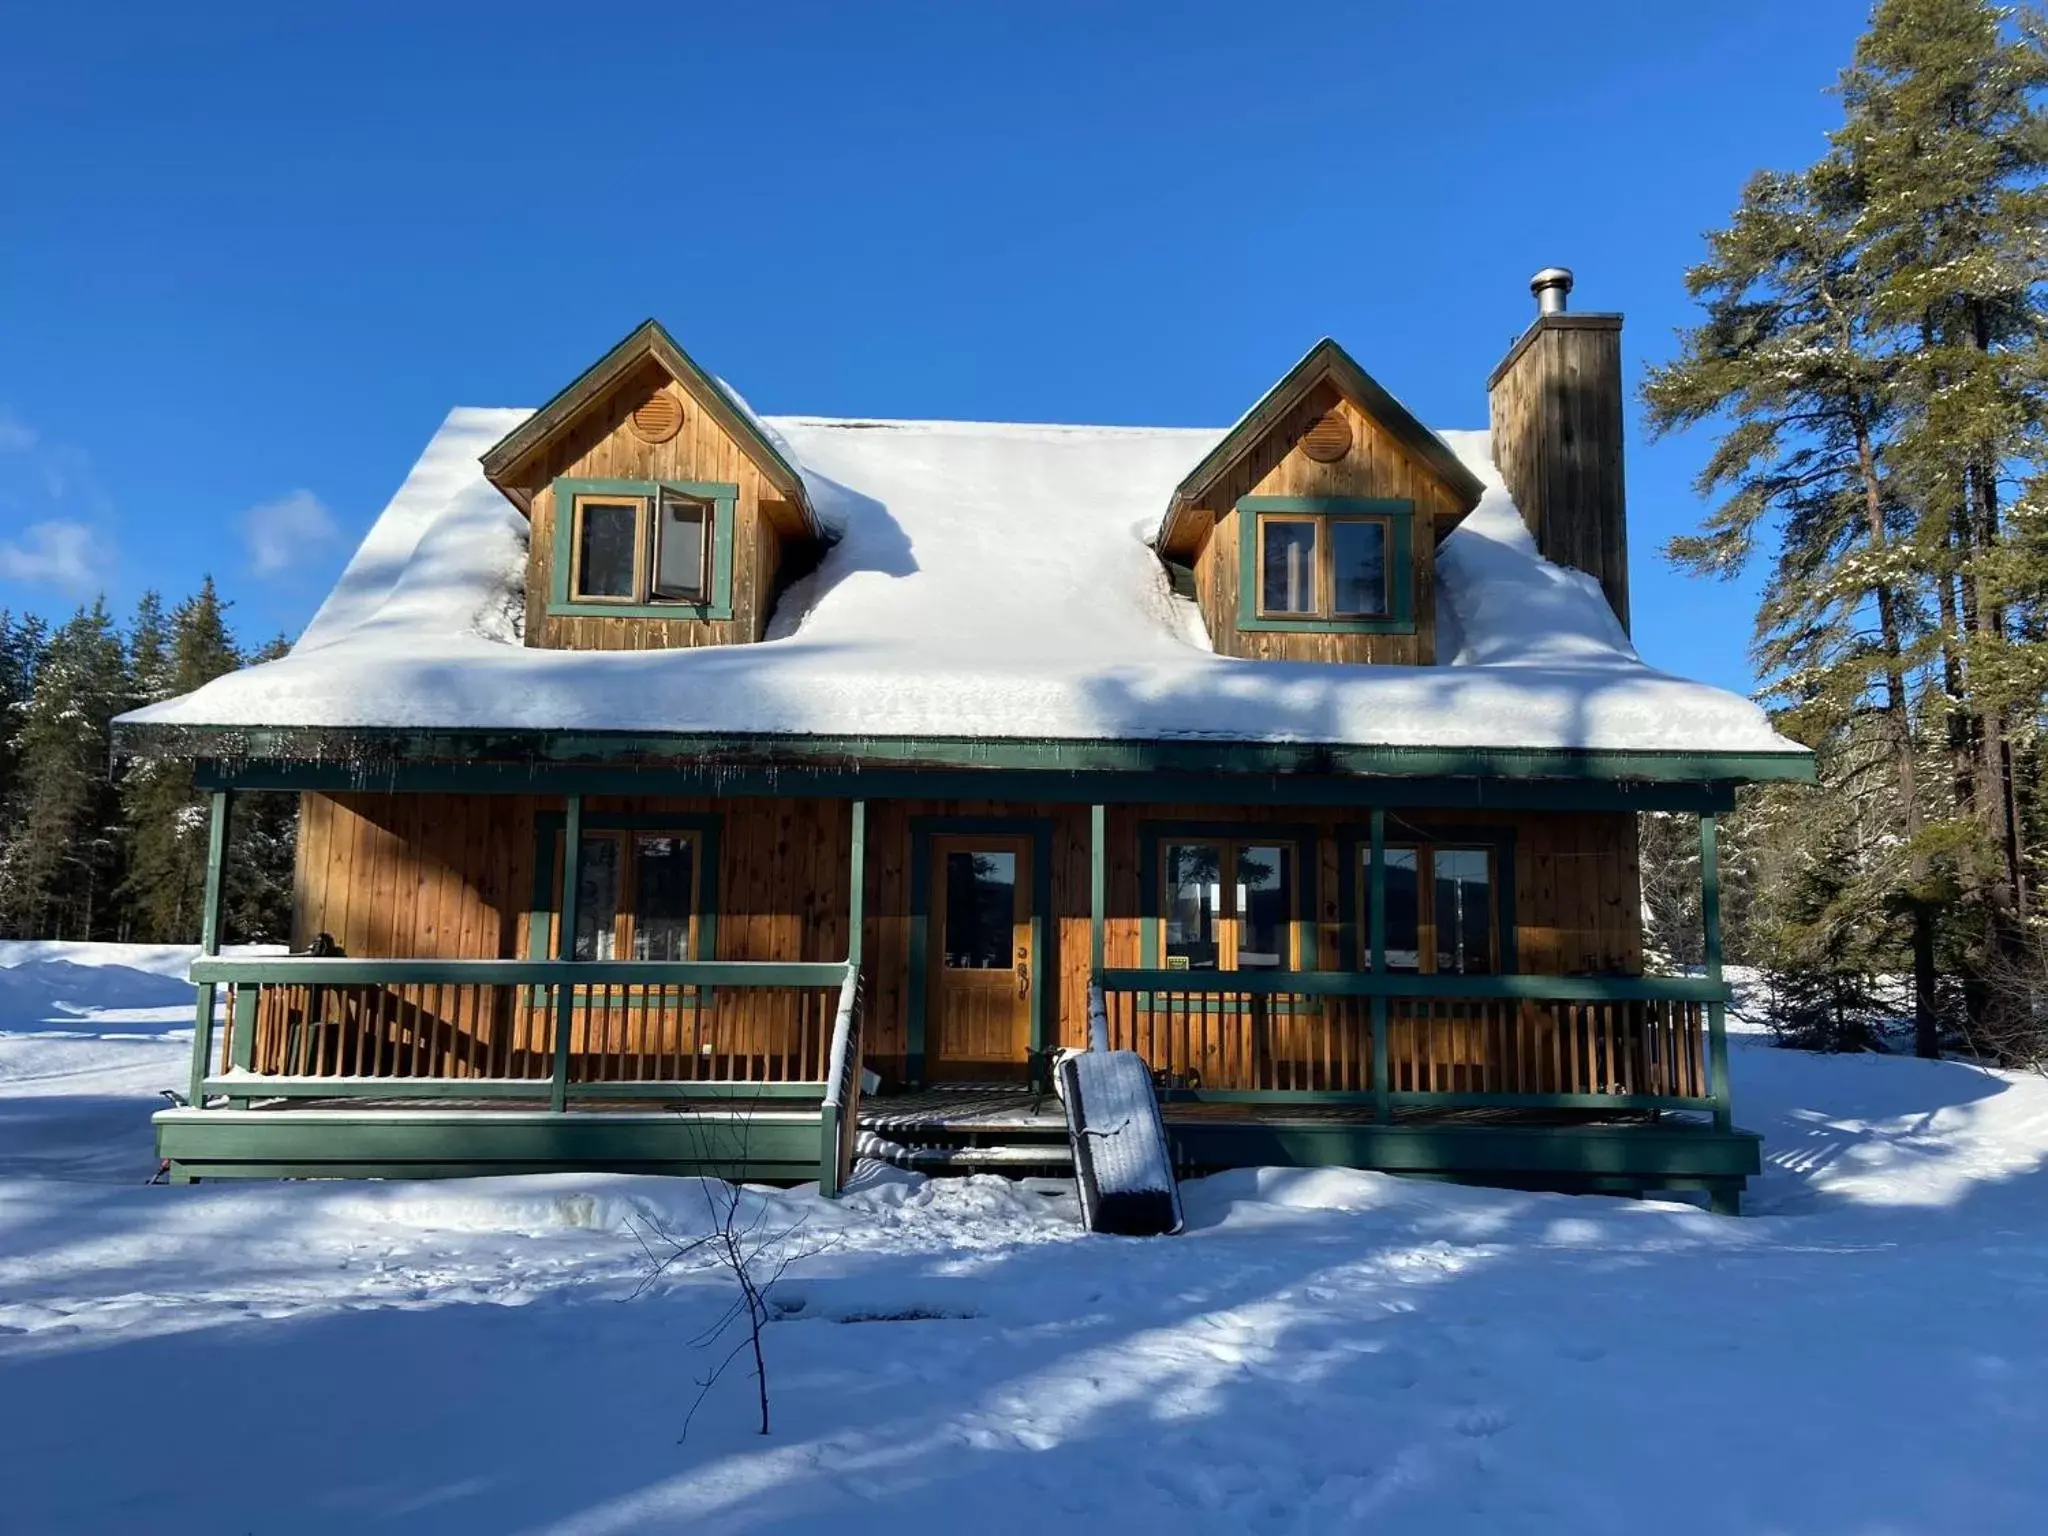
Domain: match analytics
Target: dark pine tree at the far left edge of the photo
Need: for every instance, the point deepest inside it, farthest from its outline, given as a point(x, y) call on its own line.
point(62, 865)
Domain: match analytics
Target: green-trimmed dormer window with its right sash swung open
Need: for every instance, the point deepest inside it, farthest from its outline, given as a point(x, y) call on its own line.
point(654, 550)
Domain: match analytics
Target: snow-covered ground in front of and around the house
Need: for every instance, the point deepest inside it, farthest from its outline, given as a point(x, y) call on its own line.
point(1867, 1355)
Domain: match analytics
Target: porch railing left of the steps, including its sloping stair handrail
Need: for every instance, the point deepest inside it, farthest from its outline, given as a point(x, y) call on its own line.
point(556, 1033)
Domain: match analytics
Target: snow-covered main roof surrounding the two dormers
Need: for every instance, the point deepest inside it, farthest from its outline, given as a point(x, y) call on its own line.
point(990, 581)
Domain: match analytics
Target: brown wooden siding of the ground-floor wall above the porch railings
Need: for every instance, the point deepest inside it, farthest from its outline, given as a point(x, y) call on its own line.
point(452, 878)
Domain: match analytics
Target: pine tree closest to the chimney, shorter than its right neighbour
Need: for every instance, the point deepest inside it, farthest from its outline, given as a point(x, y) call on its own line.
point(1793, 357)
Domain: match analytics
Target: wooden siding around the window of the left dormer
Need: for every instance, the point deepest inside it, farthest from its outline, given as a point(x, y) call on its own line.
point(603, 445)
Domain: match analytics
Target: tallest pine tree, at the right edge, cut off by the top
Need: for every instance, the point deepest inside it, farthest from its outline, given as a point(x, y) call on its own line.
point(1949, 153)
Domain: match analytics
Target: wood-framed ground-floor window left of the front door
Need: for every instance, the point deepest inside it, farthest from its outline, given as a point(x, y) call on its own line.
point(640, 896)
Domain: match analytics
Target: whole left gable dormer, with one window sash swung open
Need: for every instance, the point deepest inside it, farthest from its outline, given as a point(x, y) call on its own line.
point(660, 511)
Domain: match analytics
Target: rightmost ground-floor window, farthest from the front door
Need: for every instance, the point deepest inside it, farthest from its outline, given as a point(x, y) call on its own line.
point(1443, 908)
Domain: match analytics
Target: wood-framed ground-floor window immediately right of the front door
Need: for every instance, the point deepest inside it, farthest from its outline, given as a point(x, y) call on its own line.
point(1226, 904)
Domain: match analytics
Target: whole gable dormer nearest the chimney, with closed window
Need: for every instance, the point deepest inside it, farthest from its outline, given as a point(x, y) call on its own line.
point(1312, 529)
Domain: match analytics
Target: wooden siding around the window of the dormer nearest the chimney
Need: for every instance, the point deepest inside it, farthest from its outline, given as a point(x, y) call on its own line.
point(1375, 466)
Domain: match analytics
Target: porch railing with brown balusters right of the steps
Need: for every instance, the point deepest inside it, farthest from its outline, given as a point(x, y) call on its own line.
point(1594, 1043)
